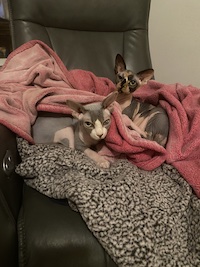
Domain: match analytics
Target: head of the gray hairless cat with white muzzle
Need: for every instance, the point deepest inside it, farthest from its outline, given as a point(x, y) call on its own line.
point(94, 118)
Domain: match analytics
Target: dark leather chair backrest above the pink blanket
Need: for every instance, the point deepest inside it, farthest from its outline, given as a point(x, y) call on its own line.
point(86, 34)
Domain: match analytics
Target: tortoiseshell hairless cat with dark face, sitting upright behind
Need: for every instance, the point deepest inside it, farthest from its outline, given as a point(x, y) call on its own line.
point(149, 121)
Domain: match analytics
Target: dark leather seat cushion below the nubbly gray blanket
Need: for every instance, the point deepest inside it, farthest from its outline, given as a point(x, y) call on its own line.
point(49, 229)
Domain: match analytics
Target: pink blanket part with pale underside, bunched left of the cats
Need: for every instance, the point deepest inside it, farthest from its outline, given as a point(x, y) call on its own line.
point(34, 78)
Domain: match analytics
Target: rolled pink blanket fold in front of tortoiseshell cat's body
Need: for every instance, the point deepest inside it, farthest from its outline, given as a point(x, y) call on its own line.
point(145, 154)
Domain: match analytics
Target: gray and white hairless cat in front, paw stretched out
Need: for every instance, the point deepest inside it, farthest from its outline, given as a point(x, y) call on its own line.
point(89, 126)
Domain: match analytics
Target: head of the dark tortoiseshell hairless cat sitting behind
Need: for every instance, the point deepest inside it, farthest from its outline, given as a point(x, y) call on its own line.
point(126, 80)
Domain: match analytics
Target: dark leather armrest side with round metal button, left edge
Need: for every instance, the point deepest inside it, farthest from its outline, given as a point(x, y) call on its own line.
point(10, 198)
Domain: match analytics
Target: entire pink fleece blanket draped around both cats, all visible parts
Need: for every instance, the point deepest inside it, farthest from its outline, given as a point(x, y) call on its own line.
point(34, 79)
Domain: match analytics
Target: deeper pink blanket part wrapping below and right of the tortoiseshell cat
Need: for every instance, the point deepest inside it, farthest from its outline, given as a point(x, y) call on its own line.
point(182, 104)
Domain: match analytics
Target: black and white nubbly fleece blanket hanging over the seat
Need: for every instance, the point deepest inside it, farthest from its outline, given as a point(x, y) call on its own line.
point(141, 218)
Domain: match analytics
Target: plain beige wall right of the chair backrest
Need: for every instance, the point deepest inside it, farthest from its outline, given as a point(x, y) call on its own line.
point(174, 33)
